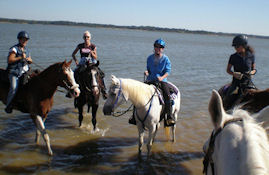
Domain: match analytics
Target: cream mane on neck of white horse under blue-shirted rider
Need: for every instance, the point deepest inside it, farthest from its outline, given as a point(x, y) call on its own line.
point(140, 92)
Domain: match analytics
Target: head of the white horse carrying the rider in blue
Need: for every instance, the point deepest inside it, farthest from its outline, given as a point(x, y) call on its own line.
point(116, 96)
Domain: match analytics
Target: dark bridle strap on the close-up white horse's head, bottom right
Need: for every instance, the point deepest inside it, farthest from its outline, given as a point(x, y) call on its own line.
point(208, 156)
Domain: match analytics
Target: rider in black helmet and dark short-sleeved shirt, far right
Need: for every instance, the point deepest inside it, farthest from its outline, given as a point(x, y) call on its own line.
point(243, 63)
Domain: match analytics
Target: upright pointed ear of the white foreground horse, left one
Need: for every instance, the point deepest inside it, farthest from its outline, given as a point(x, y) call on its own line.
point(216, 110)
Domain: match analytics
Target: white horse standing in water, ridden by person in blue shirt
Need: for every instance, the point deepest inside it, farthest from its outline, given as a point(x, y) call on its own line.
point(145, 98)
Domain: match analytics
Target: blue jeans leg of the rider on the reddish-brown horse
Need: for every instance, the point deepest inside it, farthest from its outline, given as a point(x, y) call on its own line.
point(14, 84)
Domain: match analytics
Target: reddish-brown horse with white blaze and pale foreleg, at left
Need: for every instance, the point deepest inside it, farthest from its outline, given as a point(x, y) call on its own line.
point(36, 97)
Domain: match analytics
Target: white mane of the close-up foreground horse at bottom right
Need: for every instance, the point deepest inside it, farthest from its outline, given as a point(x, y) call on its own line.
point(256, 144)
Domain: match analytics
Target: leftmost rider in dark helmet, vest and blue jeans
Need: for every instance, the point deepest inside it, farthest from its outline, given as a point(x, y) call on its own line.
point(18, 61)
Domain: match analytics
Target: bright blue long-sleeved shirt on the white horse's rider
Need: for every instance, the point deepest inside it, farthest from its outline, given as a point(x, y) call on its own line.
point(157, 67)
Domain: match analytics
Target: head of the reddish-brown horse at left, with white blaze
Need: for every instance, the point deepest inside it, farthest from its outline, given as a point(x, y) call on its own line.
point(68, 80)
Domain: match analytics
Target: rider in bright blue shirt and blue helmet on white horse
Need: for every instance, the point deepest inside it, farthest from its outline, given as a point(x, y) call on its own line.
point(158, 69)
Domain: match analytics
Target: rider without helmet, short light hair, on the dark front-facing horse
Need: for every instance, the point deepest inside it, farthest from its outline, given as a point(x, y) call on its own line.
point(88, 53)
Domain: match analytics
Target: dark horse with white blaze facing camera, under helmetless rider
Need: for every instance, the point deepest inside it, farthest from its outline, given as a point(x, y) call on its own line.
point(89, 79)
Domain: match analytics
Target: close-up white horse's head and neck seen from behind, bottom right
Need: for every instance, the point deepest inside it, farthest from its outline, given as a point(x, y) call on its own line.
point(238, 144)
